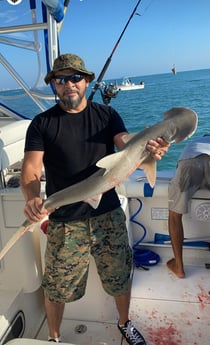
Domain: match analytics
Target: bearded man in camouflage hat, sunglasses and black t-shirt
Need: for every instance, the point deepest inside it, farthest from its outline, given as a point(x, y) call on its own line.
point(69, 139)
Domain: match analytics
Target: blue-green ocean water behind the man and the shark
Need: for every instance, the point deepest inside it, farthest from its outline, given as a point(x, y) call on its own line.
point(144, 107)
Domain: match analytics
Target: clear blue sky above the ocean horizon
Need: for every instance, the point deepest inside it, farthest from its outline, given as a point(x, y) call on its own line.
point(161, 33)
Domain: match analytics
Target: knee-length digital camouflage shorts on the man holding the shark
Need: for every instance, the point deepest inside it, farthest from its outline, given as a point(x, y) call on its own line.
point(69, 246)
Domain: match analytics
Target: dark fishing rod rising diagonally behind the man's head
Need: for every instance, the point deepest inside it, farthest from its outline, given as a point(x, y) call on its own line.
point(108, 61)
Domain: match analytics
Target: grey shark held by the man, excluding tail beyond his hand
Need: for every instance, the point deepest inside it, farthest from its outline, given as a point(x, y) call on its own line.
point(179, 123)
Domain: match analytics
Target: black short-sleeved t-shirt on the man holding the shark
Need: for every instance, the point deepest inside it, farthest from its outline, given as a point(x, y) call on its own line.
point(72, 144)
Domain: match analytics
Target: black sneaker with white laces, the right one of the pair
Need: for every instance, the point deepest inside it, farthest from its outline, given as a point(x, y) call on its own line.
point(131, 334)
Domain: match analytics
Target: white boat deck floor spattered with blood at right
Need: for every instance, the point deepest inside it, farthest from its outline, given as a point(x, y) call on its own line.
point(153, 291)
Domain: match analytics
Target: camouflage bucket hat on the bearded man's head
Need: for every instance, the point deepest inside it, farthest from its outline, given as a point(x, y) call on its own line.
point(68, 61)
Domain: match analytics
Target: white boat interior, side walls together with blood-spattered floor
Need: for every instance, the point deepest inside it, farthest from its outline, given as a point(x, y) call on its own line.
point(167, 310)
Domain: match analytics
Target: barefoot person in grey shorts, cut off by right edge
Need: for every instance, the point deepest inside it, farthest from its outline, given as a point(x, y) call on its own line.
point(193, 173)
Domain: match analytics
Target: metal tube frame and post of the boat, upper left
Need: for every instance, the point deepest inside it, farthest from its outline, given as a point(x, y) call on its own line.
point(49, 48)
